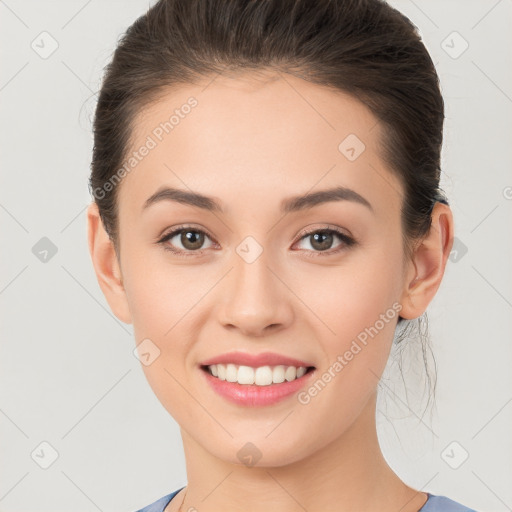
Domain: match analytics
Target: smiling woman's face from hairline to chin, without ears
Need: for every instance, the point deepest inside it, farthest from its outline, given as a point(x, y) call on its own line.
point(317, 281)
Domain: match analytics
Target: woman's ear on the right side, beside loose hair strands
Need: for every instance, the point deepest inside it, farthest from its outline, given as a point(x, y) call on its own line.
point(426, 270)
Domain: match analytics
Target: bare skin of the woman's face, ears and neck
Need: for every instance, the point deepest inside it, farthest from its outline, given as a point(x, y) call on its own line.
point(251, 142)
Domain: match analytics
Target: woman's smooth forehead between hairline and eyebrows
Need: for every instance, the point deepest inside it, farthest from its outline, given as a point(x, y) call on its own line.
point(256, 138)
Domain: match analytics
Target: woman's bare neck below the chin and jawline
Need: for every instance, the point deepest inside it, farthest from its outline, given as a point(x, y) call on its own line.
point(348, 474)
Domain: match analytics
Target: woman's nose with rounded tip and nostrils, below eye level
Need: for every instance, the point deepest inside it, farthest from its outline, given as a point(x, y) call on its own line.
point(255, 299)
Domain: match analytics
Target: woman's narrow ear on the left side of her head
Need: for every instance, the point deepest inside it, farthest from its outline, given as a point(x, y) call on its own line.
point(106, 265)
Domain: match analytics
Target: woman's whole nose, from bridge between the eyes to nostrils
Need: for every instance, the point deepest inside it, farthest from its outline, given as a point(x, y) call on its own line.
point(256, 298)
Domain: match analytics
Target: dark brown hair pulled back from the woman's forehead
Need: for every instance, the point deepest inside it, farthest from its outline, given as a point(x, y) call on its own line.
point(362, 47)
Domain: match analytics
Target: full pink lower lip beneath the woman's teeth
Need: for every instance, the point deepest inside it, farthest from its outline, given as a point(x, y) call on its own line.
point(253, 395)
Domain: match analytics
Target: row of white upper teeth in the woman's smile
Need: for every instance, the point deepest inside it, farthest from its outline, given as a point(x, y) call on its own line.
point(261, 376)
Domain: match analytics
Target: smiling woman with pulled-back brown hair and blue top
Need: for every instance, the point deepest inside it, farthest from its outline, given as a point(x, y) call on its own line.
point(267, 213)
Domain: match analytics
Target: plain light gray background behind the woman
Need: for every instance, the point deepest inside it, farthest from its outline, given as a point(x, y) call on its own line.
point(68, 374)
